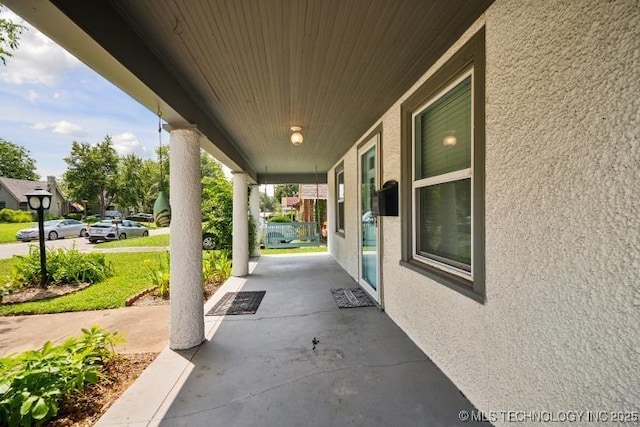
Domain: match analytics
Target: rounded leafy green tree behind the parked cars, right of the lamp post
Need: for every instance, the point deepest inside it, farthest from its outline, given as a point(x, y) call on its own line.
point(92, 173)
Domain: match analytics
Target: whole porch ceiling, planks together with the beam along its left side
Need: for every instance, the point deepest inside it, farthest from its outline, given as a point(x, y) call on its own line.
point(244, 71)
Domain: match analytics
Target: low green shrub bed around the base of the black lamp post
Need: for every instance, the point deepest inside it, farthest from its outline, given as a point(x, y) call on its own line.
point(64, 266)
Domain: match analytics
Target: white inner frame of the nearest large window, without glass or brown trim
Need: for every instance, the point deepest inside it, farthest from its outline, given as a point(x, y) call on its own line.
point(454, 176)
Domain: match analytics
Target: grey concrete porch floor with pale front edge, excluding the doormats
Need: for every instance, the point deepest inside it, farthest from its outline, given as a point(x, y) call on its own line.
point(261, 370)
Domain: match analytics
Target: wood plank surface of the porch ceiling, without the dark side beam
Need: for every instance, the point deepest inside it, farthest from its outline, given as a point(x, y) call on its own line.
point(257, 67)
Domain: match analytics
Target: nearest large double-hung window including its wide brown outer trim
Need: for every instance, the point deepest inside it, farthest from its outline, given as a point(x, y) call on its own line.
point(443, 151)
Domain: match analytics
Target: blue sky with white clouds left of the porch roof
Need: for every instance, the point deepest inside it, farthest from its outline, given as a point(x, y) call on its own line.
point(48, 99)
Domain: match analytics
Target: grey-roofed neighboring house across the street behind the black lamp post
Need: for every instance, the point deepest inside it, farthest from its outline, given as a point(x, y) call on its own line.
point(12, 194)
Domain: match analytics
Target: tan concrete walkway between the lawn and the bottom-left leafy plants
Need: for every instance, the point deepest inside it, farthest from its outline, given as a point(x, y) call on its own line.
point(146, 329)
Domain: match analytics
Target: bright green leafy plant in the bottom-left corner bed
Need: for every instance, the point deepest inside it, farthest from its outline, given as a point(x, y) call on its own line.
point(33, 383)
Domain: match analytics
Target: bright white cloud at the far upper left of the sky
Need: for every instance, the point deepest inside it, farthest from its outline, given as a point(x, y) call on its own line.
point(37, 60)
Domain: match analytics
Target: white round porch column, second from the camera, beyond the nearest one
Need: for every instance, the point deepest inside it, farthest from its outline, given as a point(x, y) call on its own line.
point(240, 256)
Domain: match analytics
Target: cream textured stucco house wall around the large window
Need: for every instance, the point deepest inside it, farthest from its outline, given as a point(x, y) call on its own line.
point(560, 329)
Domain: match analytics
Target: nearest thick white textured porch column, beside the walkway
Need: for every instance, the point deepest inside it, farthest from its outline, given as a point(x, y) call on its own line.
point(186, 328)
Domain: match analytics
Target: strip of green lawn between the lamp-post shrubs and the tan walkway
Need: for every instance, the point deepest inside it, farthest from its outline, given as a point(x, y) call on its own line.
point(130, 277)
